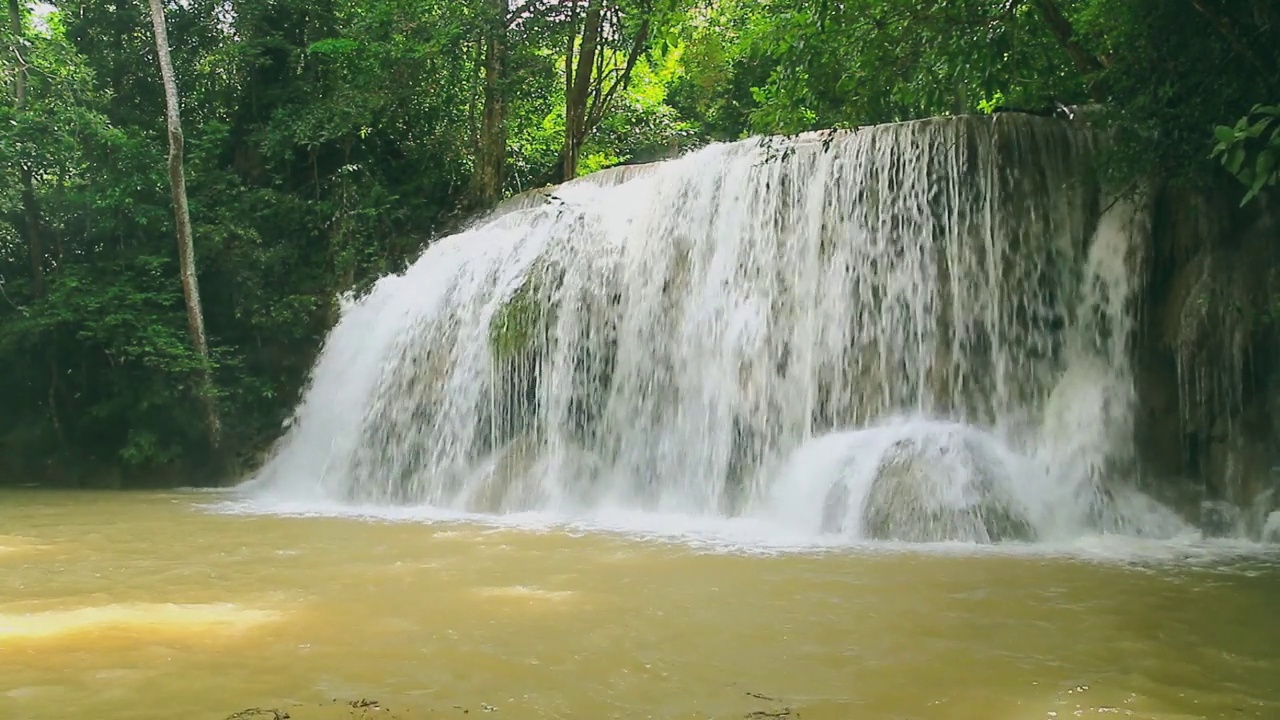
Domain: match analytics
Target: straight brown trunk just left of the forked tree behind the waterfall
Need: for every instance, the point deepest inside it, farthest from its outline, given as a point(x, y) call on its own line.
point(492, 151)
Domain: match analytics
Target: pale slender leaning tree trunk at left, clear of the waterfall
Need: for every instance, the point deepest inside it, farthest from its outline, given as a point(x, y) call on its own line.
point(182, 220)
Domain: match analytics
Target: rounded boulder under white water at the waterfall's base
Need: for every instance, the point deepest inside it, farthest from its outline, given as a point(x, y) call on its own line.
point(938, 493)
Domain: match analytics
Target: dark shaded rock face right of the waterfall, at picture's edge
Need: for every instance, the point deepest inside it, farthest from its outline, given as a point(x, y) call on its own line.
point(1209, 358)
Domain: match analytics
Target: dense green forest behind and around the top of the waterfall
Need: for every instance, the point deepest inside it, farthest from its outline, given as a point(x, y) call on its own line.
point(328, 142)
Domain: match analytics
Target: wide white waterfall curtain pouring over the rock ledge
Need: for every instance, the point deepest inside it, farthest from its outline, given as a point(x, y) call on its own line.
point(909, 332)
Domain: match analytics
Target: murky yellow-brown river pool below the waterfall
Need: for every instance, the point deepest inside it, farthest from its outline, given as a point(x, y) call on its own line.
point(185, 607)
